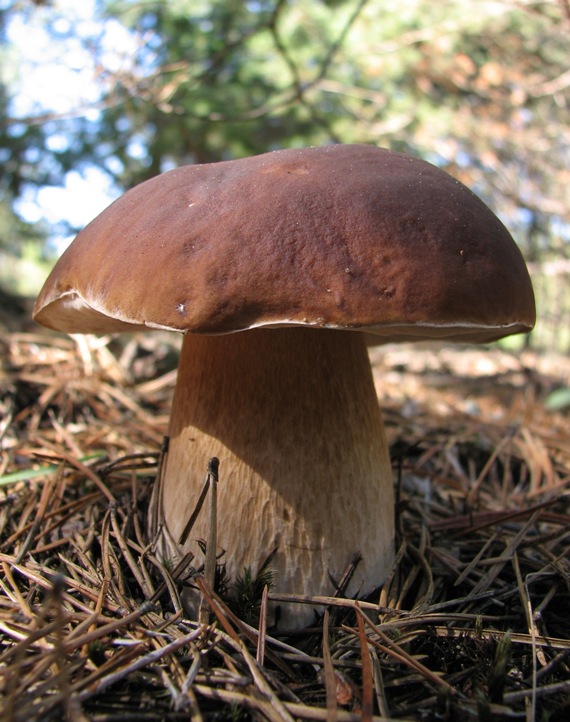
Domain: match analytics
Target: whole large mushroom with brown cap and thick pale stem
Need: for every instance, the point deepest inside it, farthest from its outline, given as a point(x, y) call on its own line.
point(279, 269)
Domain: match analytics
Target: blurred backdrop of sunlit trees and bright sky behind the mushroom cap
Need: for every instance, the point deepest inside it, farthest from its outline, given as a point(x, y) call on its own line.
point(98, 95)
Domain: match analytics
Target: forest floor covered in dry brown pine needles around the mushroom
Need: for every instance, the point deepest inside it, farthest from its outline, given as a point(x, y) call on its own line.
point(472, 623)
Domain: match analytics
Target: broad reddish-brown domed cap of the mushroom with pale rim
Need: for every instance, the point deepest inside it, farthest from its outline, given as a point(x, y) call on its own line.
point(343, 237)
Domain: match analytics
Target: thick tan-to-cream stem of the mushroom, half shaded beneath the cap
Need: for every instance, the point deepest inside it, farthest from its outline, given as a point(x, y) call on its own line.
point(293, 417)
